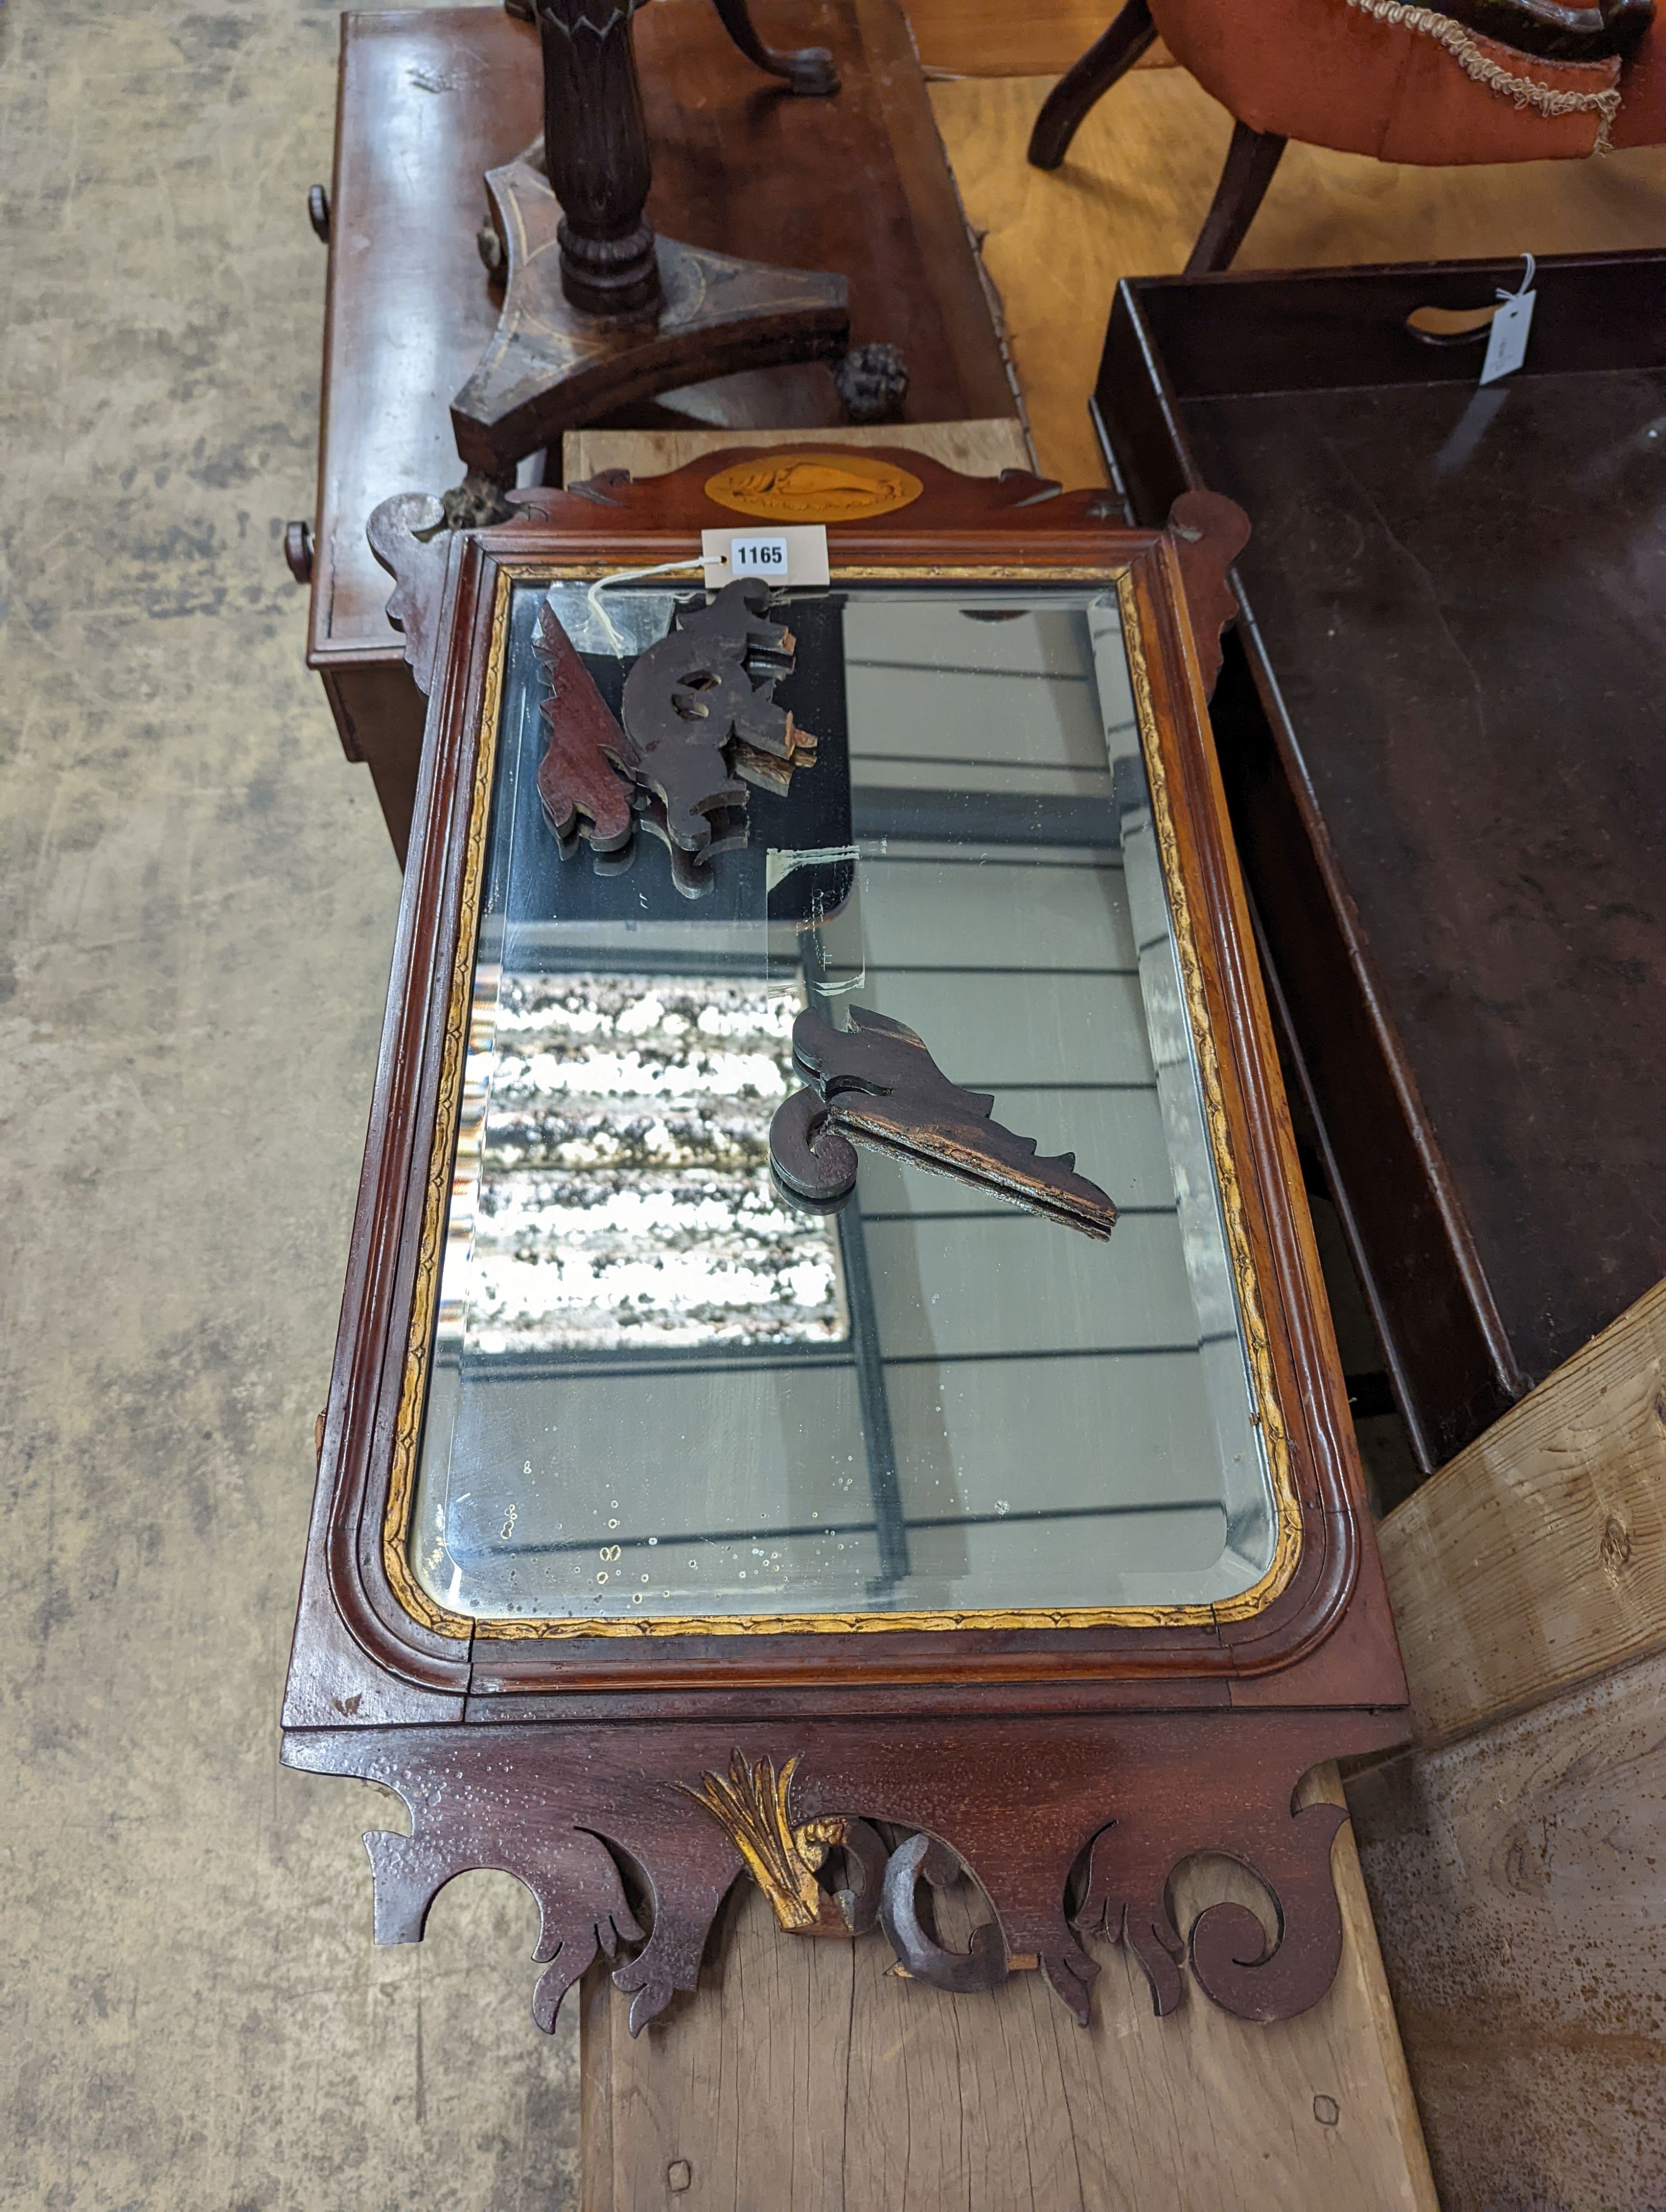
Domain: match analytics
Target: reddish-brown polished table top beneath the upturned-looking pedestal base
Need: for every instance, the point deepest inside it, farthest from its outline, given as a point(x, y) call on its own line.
point(433, 98)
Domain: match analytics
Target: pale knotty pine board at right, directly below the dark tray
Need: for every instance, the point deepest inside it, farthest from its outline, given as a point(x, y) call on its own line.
point(1539, 1556)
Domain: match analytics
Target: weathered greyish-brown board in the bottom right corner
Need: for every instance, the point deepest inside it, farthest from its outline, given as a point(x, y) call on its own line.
point(1517, 1884)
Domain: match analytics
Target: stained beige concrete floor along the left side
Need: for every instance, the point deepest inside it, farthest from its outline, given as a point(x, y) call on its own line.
point(198, 906)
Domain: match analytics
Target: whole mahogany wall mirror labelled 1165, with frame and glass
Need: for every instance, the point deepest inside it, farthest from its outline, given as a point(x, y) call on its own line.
point(833, 1379)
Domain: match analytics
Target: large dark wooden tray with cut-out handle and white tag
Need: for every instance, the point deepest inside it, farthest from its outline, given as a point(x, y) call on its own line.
point(1439, 731)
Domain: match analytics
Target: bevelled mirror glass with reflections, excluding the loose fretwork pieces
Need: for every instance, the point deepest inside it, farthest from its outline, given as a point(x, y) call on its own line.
point(660, 1390)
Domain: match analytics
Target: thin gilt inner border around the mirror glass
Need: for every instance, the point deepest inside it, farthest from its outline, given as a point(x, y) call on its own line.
point(437, 1187)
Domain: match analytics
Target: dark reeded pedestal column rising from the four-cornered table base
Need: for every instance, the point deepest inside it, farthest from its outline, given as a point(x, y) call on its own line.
point(596, 152)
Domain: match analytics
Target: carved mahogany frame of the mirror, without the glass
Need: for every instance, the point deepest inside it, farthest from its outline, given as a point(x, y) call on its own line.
point(1143, 1735)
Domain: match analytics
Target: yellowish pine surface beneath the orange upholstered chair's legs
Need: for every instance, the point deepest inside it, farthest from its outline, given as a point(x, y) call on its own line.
point(1141, 176)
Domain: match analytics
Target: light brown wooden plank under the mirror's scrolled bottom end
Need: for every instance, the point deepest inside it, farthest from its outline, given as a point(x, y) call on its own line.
point(811, 2080)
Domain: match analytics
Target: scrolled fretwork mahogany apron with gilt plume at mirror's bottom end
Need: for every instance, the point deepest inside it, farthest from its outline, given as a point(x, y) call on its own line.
point(521, 1802)
